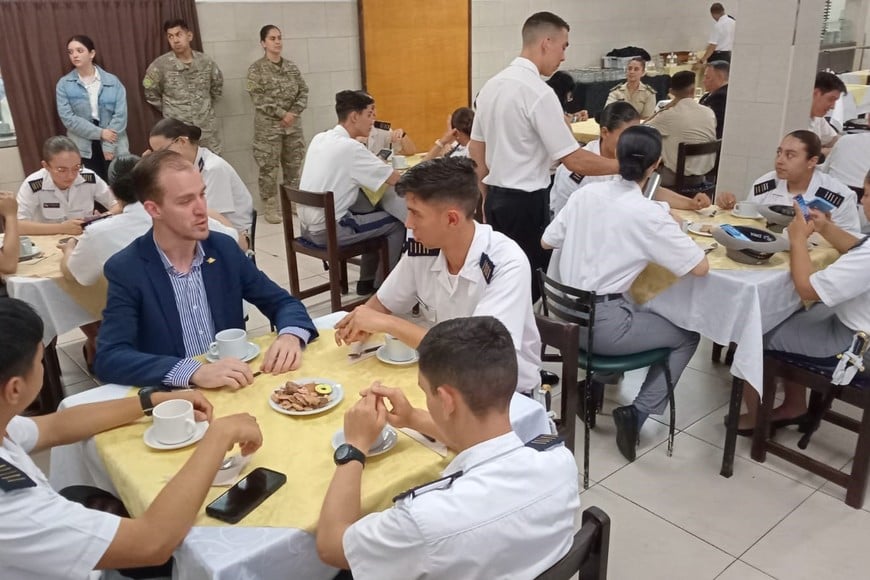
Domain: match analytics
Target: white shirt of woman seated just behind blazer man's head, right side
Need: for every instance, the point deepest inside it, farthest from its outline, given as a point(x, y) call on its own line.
point(224, 190)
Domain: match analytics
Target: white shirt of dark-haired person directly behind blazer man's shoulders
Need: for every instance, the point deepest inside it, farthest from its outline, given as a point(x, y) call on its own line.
point(105, 238)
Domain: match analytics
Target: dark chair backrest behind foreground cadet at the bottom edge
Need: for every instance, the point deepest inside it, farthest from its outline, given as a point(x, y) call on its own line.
point(588, 554)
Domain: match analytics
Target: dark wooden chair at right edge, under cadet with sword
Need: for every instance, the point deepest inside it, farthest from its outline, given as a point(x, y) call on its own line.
point(800, 371)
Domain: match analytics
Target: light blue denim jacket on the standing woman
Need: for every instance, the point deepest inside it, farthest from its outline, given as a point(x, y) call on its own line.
point(74, 109)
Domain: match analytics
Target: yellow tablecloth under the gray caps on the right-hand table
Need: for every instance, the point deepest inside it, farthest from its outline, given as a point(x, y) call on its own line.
point(656, 279)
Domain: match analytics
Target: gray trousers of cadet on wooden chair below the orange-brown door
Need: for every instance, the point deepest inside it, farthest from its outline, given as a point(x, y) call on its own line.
point(358, 227)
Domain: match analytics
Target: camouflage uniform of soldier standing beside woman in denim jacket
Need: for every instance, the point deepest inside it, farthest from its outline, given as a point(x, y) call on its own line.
point(187, 92)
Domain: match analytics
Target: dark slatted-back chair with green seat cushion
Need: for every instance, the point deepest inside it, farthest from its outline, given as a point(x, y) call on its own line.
point(578, 306)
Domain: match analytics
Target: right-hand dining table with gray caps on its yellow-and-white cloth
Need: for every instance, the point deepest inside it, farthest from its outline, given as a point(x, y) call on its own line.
point(734, 303)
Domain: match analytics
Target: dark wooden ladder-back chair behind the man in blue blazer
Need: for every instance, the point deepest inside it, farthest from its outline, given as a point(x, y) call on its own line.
point(334, 255)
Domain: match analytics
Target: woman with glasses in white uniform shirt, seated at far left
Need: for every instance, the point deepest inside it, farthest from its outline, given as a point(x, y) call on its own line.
point(59, 197)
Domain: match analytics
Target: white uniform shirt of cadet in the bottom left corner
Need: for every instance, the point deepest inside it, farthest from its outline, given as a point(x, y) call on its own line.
point(42, 534)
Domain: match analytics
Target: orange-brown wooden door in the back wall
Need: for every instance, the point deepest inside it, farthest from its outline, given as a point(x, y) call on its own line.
point(416, 62)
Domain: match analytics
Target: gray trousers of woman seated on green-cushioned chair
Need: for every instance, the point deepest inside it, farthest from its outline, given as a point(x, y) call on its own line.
point(622, 329)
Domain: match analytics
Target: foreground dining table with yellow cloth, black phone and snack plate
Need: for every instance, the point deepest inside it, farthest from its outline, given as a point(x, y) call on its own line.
point(277, 538)
